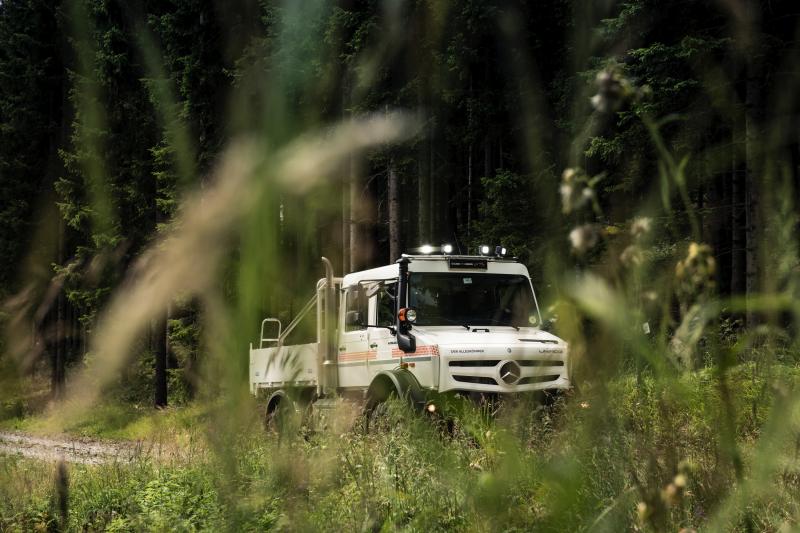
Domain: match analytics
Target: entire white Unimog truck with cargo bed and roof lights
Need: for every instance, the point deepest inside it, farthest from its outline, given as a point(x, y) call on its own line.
point(426, 325)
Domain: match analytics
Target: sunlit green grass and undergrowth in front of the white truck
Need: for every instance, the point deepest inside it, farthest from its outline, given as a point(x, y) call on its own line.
point(642, 453)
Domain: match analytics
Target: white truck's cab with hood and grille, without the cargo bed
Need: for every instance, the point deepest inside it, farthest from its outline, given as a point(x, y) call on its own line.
point(475, 327)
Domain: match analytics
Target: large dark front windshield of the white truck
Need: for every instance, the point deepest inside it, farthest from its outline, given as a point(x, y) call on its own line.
point(470, 299)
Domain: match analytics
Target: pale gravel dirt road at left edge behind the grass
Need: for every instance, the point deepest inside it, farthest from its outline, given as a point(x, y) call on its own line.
point(74, 450)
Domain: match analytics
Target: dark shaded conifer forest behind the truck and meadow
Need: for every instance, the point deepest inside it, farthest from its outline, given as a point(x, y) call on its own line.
point(536, 120)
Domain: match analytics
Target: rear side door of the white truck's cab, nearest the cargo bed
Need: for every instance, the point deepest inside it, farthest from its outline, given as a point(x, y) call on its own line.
point(353, 349)
